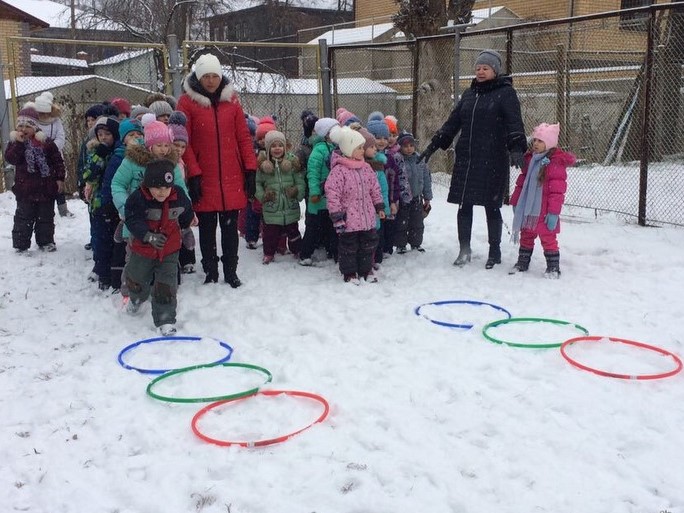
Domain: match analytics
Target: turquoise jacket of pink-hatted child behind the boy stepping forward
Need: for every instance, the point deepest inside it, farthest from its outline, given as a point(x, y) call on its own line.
point(130, 172)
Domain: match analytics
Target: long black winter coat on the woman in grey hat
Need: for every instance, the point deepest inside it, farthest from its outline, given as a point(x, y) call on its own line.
point(489, 120)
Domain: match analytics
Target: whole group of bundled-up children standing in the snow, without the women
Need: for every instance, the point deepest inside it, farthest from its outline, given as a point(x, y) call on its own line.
point(367, 193)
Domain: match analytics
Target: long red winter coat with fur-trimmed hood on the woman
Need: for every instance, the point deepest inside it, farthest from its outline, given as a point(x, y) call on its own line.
point(220, 148)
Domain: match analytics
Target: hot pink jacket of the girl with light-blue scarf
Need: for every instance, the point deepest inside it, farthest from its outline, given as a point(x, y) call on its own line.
point(553, 187)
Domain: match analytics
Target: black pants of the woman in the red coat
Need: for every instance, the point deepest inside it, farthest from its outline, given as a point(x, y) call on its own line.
point(227, 223)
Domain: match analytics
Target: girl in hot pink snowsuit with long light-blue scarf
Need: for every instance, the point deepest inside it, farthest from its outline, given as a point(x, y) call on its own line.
point(538, 198)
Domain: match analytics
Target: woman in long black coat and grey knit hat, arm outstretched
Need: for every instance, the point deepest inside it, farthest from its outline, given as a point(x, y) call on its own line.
point(492, 137)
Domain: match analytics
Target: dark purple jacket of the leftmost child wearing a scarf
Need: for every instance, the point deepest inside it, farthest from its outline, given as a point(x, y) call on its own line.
point(31, 186)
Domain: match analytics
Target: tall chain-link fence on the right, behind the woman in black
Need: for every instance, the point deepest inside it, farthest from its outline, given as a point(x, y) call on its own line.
point(614, 81)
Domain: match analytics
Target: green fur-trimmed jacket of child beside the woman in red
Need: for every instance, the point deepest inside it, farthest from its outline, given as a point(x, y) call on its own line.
point(278, 175)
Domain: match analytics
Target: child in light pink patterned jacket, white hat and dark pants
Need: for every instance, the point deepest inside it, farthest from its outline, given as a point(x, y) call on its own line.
point(354, 199)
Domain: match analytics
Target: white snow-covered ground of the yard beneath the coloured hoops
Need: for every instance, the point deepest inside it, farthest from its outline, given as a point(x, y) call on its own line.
point(421, 417)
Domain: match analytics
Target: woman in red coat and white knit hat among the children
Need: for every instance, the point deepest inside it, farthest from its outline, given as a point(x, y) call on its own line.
point(220, 163)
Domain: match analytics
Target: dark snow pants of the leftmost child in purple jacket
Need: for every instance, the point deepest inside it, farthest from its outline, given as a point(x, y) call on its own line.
point(30, 215)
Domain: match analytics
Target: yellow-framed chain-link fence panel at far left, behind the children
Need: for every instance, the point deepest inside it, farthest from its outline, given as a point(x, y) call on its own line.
point(77, 81)
